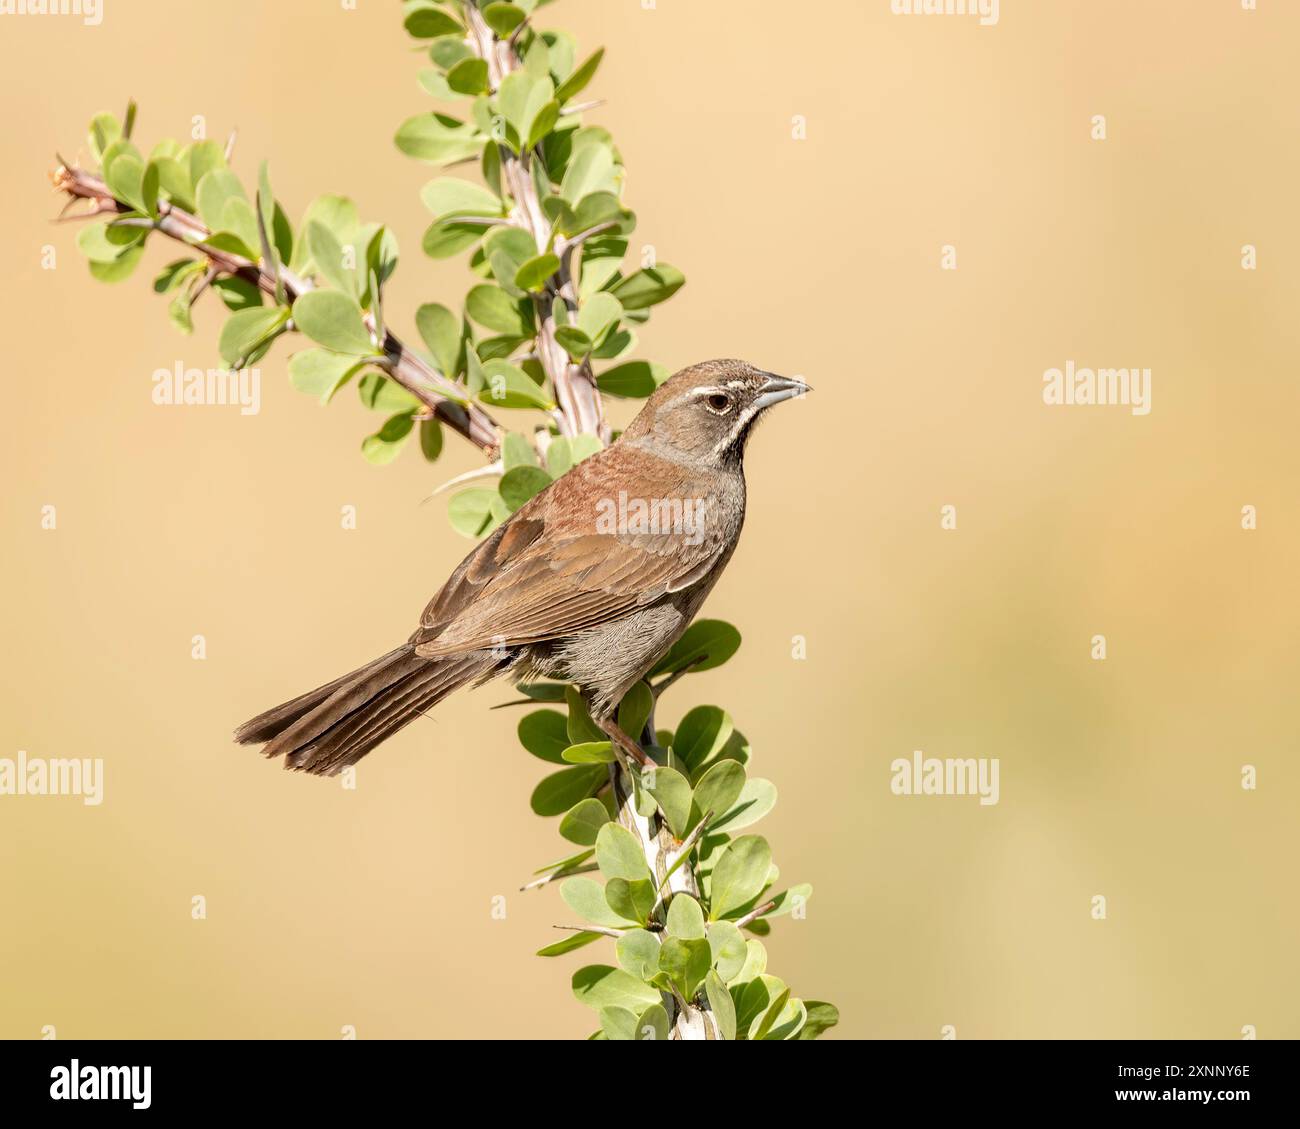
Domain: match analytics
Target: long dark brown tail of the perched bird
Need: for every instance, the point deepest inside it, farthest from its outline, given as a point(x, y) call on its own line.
point(336, 725)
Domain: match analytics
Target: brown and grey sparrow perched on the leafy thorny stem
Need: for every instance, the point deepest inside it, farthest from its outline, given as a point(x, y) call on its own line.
point(590, 582)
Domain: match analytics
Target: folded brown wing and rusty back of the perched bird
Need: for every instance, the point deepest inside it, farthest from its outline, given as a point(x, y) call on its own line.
point(552, 570)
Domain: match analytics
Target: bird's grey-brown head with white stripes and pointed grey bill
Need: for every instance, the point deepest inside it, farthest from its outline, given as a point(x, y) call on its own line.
point(708, 412)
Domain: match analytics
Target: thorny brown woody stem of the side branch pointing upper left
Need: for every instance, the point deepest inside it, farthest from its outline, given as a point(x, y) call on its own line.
point(441, 396)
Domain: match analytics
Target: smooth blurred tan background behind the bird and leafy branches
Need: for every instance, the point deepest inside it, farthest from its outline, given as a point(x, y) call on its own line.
point(818, 257)
